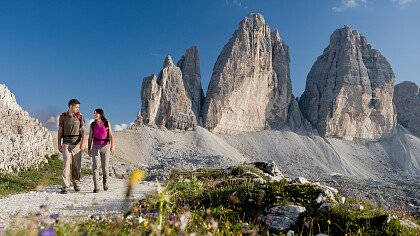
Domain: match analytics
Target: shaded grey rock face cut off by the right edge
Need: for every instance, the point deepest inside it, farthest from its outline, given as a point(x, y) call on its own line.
point(407, 103)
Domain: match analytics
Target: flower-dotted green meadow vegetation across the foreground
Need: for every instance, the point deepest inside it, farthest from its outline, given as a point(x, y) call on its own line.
point(231, 202)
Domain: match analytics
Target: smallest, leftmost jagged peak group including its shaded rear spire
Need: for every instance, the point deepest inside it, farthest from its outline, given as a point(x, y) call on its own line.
point(174, 98)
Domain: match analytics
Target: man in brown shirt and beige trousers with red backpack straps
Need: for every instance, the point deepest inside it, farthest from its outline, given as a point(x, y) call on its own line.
point(72, 130)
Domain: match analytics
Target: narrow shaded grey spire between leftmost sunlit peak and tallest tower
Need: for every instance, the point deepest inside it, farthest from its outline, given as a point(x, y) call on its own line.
point(191, 75)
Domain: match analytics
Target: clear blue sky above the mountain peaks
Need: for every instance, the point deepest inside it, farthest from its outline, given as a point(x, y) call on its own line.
point(99, 51)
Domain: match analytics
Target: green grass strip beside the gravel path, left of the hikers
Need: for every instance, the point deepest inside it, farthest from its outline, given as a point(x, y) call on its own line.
point(34, 179)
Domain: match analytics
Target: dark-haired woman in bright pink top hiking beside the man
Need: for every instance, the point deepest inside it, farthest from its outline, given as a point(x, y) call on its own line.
point(101, 137)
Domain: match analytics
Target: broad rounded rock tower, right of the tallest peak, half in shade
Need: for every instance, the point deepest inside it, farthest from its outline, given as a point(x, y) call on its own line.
point(349, 90)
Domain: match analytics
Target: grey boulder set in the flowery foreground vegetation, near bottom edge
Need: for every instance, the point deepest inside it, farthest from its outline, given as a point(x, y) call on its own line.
point(282, 217)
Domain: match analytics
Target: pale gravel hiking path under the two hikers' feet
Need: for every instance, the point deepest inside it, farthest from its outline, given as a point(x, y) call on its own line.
point(70, 206)
